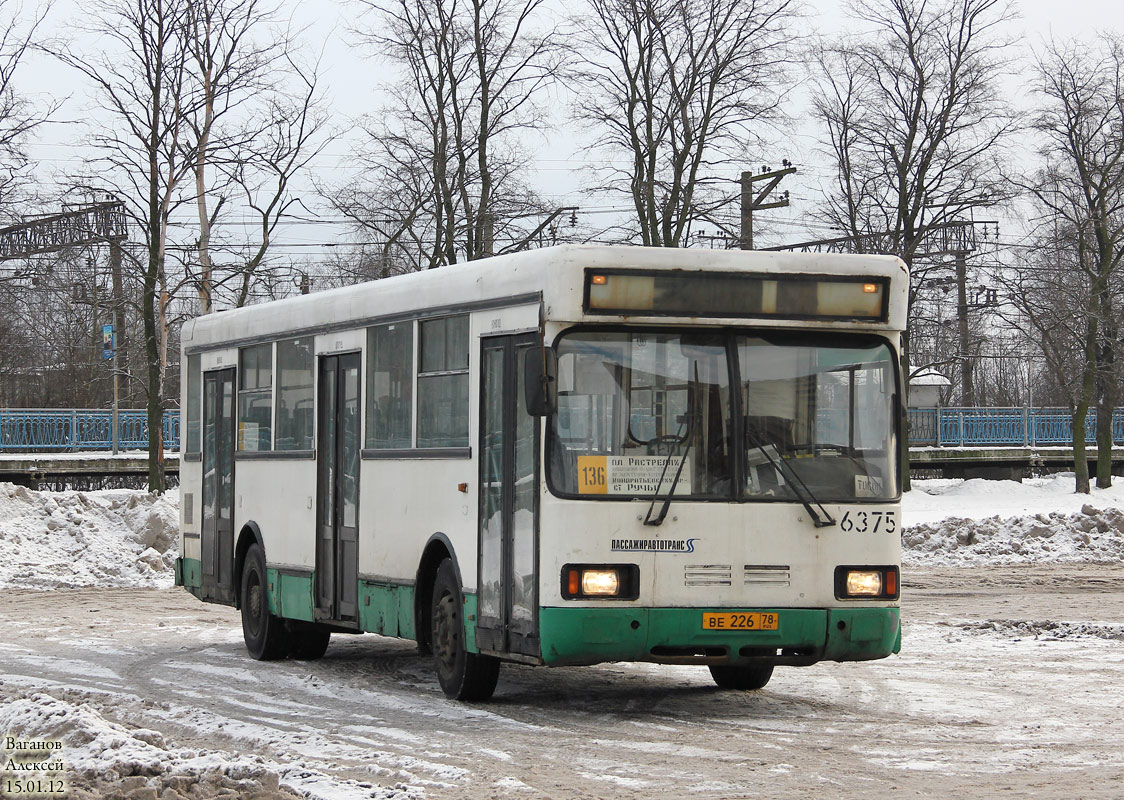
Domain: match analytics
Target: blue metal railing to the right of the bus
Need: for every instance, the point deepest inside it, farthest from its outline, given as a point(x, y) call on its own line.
point(991, 428)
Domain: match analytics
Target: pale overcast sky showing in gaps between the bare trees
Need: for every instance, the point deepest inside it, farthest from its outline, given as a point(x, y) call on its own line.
point(352, 81)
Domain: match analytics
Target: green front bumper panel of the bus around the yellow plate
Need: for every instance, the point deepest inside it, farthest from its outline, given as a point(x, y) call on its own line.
point(676, 635)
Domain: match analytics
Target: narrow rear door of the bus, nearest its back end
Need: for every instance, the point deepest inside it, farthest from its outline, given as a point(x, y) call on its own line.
point(217, 533)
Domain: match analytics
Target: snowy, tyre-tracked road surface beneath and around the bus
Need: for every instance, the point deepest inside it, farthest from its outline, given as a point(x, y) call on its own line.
point(1011, 684)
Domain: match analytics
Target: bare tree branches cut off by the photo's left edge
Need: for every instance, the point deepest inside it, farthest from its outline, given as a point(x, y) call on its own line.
point(19, 116)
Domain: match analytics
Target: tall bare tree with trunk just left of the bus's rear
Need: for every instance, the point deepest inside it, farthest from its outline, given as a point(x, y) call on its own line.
point(142, 79)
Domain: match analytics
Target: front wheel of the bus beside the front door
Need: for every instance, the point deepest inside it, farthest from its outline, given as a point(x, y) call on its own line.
point(463, 676)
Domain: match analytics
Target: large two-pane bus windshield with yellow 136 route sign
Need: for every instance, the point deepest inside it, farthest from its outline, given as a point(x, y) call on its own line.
point(723, 417)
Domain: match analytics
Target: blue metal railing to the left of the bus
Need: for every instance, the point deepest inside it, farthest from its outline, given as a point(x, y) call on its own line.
point(72, 431)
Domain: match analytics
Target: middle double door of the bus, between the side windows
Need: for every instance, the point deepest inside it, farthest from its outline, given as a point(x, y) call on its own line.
point(338, 460)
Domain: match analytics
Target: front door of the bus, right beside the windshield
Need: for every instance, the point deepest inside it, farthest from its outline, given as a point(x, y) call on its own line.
point(509, 579)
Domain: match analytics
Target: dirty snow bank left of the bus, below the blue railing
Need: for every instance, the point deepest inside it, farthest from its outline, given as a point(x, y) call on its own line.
point(105, 539)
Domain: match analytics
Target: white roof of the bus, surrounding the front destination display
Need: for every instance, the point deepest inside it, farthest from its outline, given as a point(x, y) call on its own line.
point(555, 276)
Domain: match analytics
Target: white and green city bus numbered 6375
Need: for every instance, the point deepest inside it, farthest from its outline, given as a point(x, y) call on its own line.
point(564, 457)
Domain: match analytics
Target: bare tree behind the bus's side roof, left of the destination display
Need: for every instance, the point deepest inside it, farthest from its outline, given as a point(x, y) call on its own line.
point(445, 156)
